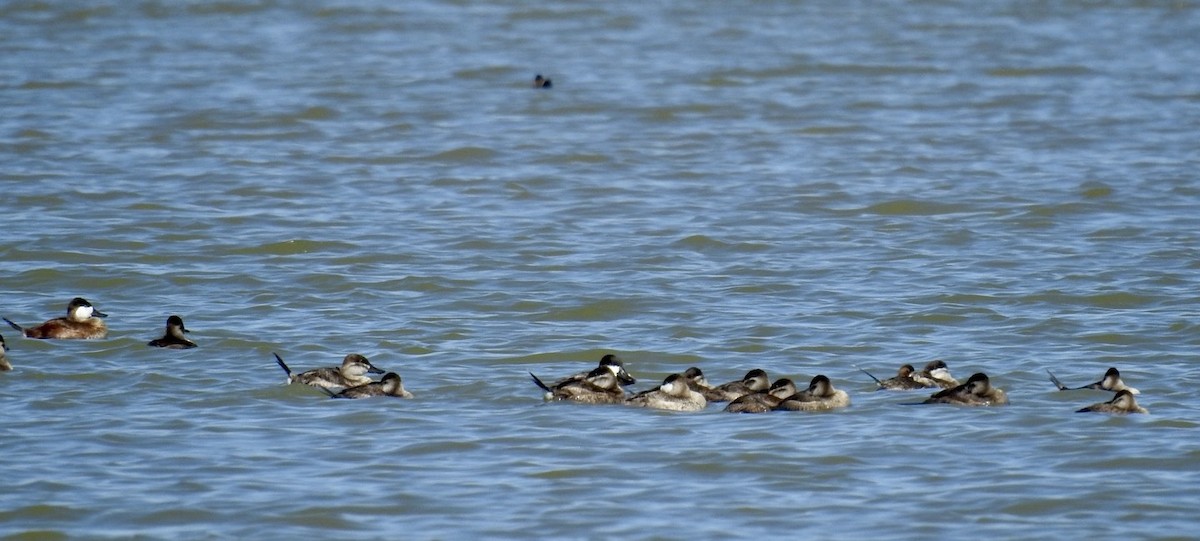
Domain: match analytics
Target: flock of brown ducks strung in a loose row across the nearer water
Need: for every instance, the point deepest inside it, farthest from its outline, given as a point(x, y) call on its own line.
point(688, 392)
